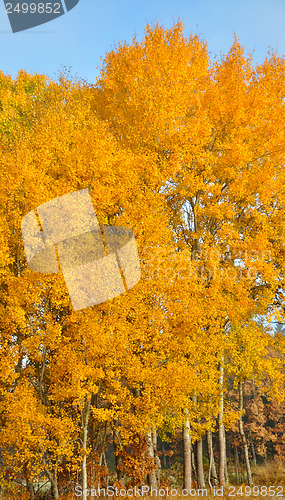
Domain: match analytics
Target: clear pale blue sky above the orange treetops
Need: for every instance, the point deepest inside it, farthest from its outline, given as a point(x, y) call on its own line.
point(85, 34)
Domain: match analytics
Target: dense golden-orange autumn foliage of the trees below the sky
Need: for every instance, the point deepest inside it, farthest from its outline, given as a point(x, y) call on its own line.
point(189, 154)
